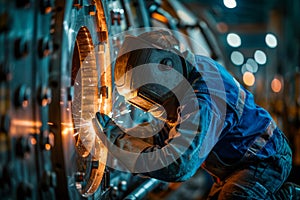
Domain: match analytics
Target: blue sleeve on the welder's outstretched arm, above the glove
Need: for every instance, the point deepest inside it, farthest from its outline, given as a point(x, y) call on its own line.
point(184, 151)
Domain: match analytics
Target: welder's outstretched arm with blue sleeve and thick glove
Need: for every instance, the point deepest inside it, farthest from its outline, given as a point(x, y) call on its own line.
point(182, 153)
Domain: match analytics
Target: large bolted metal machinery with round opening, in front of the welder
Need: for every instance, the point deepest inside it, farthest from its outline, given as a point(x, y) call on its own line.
point(56, 72)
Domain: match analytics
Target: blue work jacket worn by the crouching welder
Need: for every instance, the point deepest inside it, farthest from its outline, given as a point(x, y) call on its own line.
point(225, 121)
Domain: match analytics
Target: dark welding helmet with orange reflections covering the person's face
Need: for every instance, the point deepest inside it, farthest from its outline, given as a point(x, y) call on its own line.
point(149, 68)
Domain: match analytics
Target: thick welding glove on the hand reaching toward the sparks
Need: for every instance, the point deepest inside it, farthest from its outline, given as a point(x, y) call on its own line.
point(126, 148)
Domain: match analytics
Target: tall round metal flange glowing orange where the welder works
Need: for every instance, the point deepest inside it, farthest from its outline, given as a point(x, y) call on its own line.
point(74, 82)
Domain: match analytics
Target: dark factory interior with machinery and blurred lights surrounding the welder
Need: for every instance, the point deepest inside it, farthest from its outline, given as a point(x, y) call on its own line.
point(57, 63)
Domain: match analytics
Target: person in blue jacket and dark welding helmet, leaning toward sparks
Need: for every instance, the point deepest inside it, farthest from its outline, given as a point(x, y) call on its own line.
point(209, 120)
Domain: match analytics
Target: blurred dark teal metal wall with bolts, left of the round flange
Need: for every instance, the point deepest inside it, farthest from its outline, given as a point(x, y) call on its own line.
point(23, 119)
